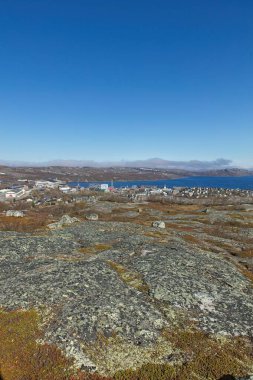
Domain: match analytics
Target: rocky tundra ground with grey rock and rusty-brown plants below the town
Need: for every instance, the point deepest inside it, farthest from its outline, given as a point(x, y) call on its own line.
point(141, 303)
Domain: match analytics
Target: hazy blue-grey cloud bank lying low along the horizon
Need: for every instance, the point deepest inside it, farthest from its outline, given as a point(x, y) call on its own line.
point(153, 163)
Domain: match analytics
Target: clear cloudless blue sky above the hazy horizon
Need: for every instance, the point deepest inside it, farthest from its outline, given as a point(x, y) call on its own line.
point(129, 79)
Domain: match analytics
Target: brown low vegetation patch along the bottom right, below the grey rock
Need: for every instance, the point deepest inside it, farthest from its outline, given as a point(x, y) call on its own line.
point(202, 357)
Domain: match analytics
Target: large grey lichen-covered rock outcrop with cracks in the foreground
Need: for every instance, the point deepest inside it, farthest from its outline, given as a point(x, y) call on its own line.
point(86, 294)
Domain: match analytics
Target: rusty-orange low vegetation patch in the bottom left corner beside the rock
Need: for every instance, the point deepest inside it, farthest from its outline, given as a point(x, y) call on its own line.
point(23, 358)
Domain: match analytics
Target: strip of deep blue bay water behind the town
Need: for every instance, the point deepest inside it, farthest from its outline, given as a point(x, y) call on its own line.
point(243, 183)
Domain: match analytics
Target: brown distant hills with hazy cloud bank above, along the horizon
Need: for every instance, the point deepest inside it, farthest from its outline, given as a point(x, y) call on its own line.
point(152, 169)
